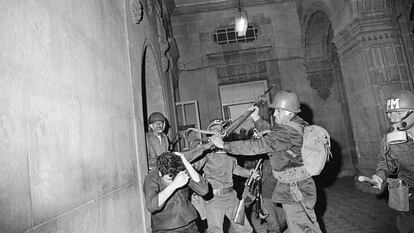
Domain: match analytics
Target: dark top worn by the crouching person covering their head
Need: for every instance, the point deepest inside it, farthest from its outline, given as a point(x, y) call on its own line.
point(177, 211)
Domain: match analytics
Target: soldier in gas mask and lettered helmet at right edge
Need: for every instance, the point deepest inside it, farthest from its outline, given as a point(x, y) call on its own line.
point(396, 156)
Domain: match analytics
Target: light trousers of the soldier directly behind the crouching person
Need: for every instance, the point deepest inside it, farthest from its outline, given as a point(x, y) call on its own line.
point(224, 205)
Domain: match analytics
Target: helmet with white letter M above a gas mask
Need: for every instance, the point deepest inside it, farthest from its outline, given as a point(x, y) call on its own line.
point(400, 100)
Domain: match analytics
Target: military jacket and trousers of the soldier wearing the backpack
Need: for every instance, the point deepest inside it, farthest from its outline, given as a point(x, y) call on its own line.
point(278, 144)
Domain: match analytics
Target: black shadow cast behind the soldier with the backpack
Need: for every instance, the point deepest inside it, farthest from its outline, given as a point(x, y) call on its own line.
point(328, 175)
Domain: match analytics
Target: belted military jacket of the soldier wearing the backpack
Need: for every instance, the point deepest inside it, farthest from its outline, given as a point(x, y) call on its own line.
point(275, 144)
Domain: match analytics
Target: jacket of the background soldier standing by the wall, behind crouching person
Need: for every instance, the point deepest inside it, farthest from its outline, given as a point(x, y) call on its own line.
point(155, 147)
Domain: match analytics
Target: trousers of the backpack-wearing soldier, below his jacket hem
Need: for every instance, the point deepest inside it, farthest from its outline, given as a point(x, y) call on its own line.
point(298, 221)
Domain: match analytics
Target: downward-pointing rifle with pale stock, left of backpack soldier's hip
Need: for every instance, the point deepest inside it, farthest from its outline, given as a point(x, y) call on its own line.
point(247, 197)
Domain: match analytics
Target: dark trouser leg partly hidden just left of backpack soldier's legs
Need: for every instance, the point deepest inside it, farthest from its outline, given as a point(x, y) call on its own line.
point(276, 218)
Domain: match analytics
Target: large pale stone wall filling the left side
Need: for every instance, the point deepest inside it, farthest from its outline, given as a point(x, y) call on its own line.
point(71, 114)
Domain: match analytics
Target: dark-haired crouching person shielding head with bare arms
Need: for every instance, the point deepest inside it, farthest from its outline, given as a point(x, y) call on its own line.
point(167, 194)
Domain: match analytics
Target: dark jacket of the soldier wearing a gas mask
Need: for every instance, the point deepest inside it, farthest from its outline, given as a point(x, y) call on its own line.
point(397, 158)
